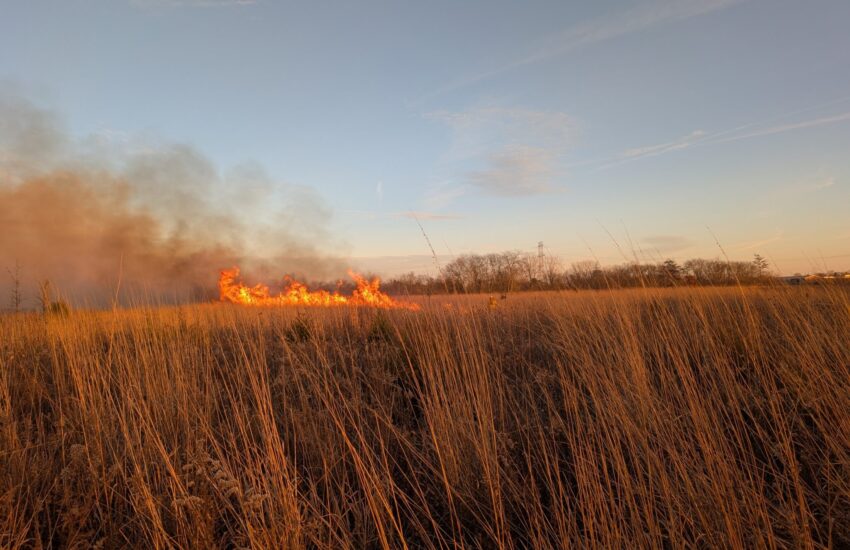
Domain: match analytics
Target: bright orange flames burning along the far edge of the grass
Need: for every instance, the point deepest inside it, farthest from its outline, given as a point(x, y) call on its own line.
point(367, 293)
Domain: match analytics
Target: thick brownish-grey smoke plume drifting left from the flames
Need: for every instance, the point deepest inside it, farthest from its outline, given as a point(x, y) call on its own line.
point(146, 220)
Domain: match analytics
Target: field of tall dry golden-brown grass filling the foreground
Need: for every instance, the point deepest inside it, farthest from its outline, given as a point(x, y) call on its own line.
point(699, 417)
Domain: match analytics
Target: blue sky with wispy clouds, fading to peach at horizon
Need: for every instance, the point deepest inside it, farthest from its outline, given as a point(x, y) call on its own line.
point(609, 129)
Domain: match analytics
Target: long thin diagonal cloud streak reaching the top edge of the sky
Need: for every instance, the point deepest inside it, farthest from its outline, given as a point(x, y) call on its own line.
point(601, 29)
